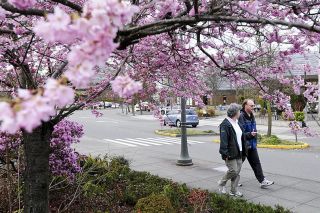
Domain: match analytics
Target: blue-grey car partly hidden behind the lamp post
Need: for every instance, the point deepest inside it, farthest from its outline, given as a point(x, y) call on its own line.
point(173, 118)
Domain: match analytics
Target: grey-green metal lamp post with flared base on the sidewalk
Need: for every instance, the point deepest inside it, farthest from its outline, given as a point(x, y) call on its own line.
point(184, 159)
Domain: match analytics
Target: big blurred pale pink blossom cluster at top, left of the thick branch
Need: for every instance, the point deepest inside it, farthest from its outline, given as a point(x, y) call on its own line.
point(94, 30)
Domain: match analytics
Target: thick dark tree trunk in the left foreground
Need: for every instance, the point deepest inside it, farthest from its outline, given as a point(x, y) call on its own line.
point(36, 148)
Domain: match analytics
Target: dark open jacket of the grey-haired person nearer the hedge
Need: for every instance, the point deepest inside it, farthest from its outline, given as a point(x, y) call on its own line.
point(229, 147)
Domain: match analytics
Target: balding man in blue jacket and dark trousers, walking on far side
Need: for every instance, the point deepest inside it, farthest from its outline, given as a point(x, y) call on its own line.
point(248, 123)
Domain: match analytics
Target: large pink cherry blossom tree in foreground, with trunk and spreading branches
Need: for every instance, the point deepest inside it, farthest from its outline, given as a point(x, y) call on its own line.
point(50, 48)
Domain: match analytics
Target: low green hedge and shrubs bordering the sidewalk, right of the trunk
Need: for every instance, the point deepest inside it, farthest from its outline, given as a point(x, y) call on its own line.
point(109, 185)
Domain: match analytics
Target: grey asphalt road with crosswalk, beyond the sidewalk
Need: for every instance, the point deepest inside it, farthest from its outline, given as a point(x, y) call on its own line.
point(130, 136)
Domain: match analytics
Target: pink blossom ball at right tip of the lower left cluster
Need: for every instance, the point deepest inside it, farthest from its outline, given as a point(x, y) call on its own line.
point(60, 95)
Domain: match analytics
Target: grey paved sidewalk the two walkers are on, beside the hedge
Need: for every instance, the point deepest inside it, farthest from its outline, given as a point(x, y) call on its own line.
point(298, 195)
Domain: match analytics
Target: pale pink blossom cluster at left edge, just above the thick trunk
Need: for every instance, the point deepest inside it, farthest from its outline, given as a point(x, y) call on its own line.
point(30, 108)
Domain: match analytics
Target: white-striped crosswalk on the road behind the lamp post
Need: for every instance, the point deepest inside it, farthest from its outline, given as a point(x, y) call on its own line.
point(145, 142)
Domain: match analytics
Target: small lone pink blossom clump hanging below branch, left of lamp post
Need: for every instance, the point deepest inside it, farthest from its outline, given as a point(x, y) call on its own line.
point(125, 87)
